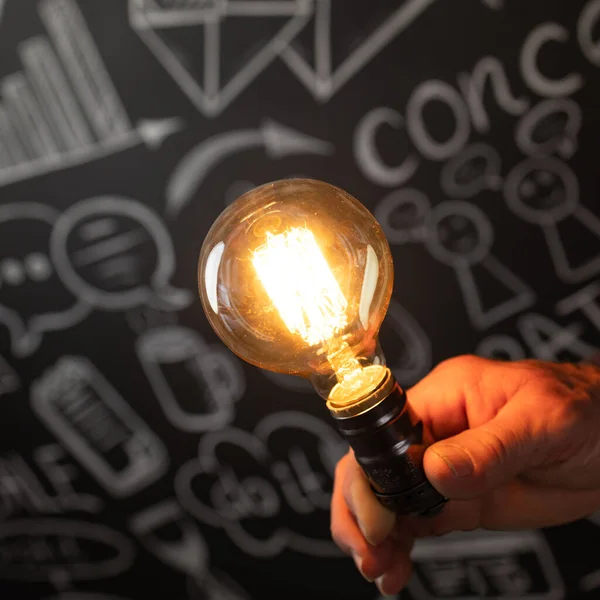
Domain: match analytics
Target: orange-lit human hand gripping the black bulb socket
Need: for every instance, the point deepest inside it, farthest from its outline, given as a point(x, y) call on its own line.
point(512, 445)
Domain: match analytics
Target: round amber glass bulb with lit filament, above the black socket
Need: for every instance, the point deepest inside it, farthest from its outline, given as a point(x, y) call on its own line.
point(296, 277)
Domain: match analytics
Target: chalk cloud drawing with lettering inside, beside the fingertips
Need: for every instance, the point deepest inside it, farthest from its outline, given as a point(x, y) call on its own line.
point(275, 494)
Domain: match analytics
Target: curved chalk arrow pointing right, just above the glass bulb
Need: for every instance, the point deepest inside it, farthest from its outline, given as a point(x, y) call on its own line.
point(278, 141)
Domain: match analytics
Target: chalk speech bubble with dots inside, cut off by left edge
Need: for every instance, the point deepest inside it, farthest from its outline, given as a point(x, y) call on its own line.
point(32, 298)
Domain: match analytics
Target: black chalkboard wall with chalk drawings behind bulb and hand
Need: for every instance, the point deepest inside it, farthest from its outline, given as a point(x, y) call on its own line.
point(138, 457)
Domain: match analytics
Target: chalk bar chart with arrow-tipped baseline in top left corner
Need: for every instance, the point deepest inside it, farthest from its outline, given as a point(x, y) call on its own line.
point(62, 108)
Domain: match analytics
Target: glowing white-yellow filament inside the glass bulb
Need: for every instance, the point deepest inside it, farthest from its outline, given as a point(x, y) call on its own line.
point(302, 287)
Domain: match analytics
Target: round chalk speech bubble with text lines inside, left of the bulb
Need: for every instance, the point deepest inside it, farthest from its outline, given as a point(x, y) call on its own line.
point(115, 254)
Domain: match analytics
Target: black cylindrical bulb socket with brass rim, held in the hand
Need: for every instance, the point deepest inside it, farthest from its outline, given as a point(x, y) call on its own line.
point(387, 440)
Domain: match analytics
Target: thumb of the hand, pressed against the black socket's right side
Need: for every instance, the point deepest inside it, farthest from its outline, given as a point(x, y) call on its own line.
point(479, 460)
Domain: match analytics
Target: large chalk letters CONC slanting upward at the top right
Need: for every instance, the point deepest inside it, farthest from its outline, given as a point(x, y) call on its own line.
point(466, 103)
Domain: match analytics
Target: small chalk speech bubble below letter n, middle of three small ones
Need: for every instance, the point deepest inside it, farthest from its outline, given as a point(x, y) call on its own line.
point(474, 170)
